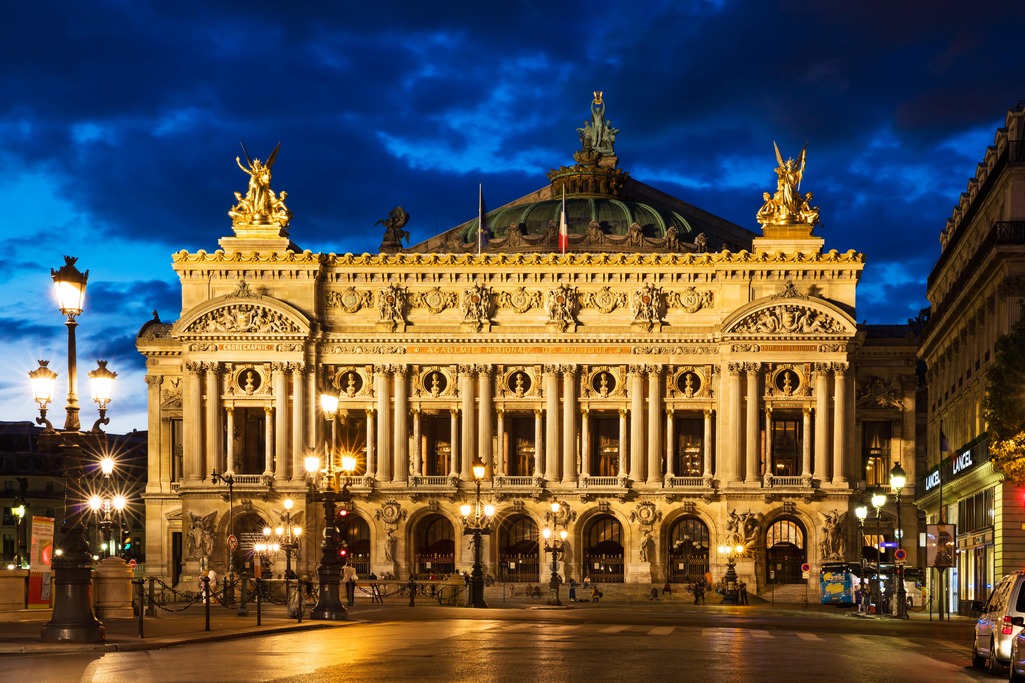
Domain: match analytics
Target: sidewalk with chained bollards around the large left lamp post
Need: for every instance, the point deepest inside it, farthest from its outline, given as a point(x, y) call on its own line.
point(22, 635)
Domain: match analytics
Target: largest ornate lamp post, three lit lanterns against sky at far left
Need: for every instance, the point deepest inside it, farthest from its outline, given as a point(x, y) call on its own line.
point(73, 619)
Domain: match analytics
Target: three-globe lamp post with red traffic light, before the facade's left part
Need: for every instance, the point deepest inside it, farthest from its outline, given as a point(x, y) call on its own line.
point(323, 488)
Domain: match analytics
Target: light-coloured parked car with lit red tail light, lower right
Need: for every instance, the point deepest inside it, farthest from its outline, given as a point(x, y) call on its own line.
point(1001, 621)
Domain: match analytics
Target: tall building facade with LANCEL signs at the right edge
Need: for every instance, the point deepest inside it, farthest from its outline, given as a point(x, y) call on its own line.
point(976, 293)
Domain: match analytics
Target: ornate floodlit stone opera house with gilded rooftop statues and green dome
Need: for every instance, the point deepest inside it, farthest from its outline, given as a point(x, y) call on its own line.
point(675, 381)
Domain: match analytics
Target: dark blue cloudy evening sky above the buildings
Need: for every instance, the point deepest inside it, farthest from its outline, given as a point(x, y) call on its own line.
point(120, 124)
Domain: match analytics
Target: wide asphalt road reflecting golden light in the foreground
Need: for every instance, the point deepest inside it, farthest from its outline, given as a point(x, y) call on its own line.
point(614, 644)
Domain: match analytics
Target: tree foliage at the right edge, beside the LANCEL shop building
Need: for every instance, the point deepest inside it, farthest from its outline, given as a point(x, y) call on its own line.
point(1006, 405)
